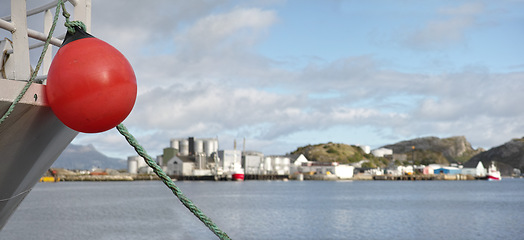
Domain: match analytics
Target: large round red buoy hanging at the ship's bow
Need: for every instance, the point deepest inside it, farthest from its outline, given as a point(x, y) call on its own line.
point(91, 87)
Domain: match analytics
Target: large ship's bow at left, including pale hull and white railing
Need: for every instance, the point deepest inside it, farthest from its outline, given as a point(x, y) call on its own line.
point(32, 137)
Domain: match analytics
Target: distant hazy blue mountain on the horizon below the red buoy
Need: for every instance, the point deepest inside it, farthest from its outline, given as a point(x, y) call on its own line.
point(86, 157)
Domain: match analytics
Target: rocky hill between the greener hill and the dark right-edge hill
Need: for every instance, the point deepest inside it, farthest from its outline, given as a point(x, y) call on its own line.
point(436, 150)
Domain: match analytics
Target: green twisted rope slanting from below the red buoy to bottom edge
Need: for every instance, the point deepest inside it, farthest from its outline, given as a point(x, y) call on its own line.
point(169, 183)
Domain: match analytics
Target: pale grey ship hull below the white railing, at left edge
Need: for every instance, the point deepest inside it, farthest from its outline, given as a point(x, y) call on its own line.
point(31, 139)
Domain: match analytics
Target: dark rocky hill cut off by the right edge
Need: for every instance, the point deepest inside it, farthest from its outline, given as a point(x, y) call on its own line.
point(507, 157)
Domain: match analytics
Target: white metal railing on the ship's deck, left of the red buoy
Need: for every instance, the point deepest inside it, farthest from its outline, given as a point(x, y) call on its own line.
point(19, 67)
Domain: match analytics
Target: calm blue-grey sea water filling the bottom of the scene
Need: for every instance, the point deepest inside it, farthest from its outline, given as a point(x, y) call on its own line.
point(273, 210)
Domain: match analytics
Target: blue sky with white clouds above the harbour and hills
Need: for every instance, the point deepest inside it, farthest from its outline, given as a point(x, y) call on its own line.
point(284, 74)
